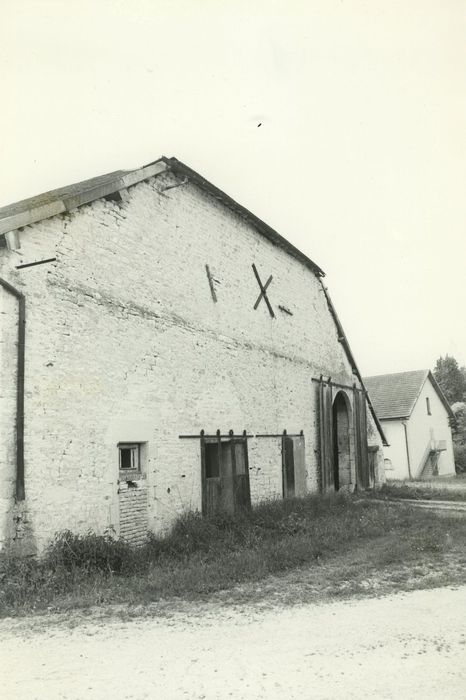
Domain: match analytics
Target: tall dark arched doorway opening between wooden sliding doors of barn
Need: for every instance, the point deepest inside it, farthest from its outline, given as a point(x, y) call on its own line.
point(341, 441)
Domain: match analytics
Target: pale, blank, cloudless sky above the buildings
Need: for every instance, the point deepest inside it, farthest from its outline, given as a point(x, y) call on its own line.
point(340, 123)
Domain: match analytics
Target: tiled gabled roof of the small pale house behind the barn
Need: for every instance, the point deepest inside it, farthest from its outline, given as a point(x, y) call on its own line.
point(395, 395)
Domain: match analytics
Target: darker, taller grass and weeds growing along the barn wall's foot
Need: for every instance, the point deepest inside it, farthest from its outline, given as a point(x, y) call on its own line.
point(200, 555)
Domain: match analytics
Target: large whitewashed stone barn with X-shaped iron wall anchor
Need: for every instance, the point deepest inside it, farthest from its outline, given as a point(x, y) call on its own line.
point(163, 349)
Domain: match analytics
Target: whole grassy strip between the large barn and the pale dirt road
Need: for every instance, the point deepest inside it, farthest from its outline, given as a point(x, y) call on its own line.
point(322, 546)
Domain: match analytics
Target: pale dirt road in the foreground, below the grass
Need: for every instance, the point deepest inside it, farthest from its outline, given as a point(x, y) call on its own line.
point(402, 646)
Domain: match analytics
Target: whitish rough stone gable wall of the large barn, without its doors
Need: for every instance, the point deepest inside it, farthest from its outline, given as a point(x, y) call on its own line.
point(124, 343)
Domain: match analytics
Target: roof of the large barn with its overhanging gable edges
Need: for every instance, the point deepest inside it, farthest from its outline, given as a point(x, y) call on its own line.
point(43, 206)
